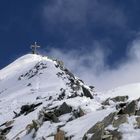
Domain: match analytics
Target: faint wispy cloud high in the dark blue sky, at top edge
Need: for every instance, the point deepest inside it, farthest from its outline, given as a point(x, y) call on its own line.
point(81, 13)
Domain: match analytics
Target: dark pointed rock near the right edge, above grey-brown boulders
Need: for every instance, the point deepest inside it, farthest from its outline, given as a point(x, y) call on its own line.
point(130, 108)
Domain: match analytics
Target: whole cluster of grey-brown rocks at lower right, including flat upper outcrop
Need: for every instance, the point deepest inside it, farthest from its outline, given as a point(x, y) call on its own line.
point(102, 131)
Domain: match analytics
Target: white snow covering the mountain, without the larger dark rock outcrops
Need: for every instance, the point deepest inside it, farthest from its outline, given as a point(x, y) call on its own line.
point(34, 79)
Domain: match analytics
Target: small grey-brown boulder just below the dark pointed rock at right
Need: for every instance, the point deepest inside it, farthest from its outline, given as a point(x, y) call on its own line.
point(120, 120)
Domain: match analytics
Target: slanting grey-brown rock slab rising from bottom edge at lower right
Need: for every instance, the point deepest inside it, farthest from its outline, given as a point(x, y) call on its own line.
point(100, 131)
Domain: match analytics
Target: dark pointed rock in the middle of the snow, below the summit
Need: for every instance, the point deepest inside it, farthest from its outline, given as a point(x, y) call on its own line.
point(63, 109)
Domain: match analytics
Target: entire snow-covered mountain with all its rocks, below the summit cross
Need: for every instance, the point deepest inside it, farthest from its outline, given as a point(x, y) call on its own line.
point(40, 99)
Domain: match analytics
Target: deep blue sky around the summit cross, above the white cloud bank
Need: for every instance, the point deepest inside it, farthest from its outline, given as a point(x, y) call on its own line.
point(73, 27)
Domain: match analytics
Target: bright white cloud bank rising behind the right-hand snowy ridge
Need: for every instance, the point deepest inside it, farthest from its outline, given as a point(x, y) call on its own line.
point(91, 67)
